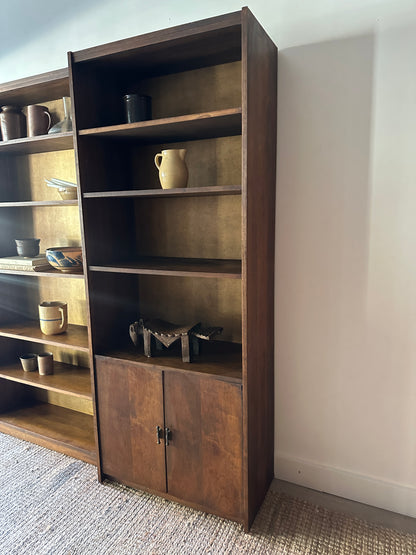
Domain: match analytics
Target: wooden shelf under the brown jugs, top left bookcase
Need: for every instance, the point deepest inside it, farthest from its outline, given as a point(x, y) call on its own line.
point(42, 143)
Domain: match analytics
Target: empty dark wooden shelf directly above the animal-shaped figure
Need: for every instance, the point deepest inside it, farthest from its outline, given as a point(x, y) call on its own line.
point(196, 267)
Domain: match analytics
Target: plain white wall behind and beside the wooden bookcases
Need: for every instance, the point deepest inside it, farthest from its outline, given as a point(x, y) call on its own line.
point(346, 231)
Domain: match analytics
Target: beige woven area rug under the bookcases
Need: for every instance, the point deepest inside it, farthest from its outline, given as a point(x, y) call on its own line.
point(53, 504)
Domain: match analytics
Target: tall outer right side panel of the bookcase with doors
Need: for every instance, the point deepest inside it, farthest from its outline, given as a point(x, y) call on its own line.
point(259, 185)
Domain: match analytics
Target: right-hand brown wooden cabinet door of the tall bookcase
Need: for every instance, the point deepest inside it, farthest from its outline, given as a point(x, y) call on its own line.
point(204, 455)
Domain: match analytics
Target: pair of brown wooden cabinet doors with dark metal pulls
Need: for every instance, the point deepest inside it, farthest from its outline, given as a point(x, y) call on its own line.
point(174, 433)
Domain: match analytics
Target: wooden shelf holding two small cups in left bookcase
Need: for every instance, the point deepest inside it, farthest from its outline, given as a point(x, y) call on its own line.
point(69, 379)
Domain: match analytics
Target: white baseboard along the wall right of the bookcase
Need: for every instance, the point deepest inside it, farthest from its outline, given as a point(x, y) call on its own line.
point(386, 495)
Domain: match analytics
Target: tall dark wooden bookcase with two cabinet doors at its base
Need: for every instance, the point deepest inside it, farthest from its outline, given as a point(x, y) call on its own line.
point(116, 158)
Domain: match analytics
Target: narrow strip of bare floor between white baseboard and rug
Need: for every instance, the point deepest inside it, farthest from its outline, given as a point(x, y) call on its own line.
point(359, 510)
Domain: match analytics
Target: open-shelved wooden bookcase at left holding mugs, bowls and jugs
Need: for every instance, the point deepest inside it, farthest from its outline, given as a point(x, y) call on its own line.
point(53, 411)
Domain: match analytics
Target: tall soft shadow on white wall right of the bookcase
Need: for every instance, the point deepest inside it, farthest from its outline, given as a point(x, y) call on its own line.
point(323, 220)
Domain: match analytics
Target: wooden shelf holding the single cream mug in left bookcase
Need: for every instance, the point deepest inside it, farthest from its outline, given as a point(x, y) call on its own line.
point(76, 337)
